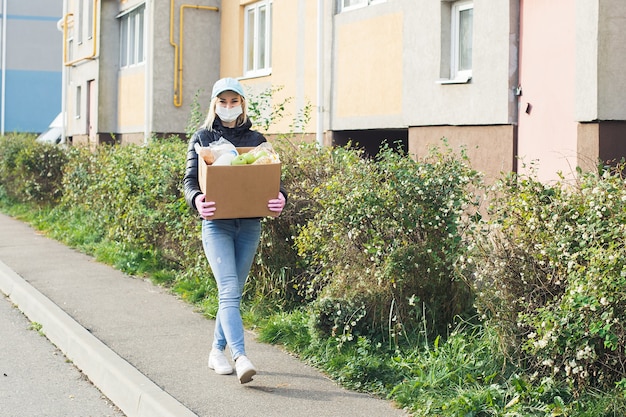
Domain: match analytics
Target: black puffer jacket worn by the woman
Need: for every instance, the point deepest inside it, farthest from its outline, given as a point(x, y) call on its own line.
point(240, 136)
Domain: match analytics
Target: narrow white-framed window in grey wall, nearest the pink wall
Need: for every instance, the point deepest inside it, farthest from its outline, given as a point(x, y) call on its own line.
point(461, 40)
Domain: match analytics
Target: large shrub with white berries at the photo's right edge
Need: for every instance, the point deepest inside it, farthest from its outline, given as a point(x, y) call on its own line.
point(550, 273)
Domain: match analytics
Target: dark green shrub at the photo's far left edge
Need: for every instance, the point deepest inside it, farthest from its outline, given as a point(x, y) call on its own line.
point(31, 171)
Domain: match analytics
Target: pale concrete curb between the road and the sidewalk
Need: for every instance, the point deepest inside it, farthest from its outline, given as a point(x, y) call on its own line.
point(124, 385)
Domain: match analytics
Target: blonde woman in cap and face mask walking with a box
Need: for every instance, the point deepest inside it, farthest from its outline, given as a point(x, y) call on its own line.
point(229, 244)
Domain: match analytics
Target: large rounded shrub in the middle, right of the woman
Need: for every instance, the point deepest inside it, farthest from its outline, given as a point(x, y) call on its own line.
point(386, 233)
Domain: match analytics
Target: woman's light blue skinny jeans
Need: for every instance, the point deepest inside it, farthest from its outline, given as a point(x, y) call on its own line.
point(230, 246)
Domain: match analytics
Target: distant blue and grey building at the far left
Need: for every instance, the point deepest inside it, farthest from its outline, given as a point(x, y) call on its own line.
point(30, 64)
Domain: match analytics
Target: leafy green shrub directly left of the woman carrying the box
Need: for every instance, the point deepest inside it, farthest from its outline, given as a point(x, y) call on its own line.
point(133, 193)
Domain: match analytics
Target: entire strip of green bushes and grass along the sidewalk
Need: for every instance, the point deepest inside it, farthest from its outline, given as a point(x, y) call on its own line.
point(368, 250)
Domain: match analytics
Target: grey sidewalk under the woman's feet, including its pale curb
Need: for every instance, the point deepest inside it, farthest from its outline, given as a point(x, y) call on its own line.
point(147, 350)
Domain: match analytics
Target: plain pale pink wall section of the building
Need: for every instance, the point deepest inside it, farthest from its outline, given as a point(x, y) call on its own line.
point(547, 127)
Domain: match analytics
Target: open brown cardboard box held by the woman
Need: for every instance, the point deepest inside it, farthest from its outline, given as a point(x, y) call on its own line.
point(240, 191)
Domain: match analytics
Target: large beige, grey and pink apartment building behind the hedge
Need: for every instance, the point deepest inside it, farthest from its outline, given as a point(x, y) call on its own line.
point(515, 82)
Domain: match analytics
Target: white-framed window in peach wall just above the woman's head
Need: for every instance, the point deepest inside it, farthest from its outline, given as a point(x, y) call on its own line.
point(255, 65)
